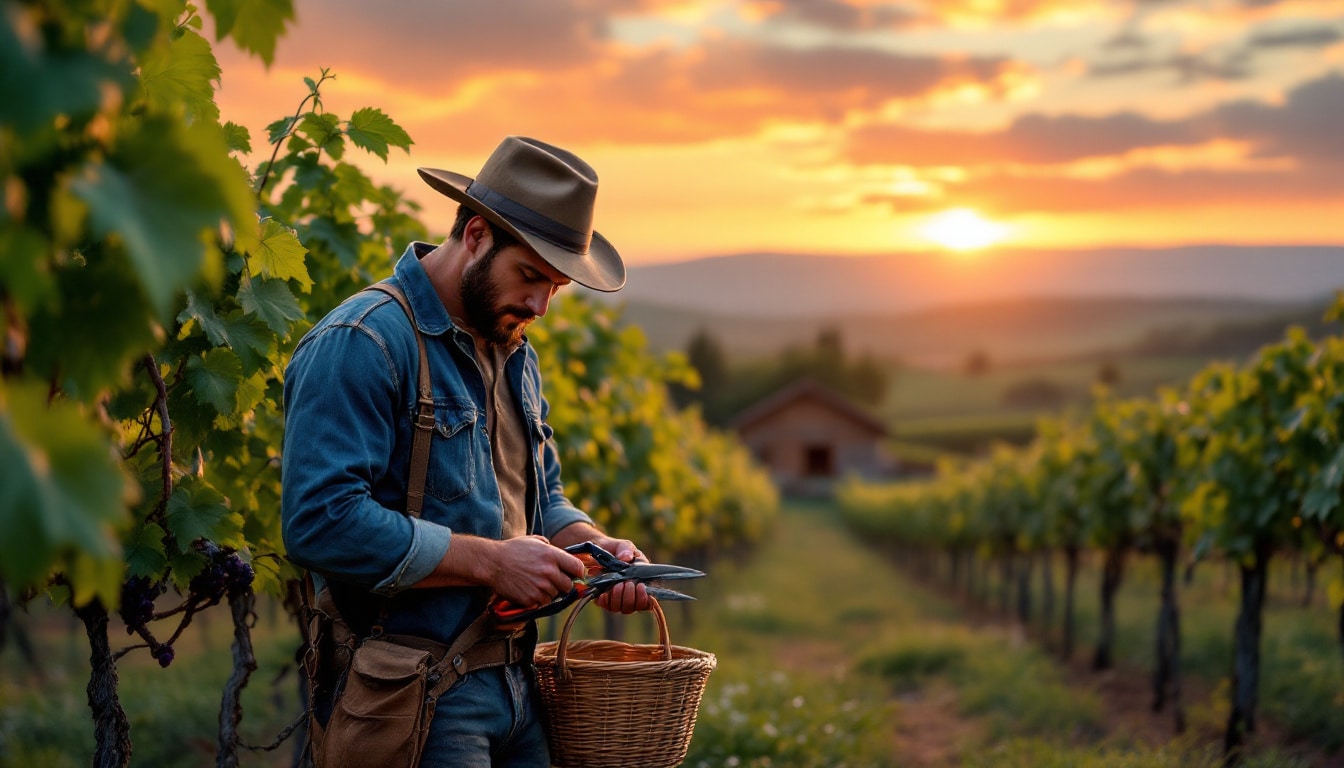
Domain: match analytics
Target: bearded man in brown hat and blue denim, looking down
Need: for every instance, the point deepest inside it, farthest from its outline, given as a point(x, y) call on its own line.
point(495, 516)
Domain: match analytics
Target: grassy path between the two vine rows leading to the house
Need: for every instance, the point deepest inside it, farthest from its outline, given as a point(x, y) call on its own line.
point(830, 656)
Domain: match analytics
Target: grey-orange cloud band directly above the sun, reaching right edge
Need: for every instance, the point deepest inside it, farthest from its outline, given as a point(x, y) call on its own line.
point(1290, 153)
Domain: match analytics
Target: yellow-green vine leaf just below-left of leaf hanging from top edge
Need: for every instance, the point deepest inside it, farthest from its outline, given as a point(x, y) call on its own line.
point(182, 76)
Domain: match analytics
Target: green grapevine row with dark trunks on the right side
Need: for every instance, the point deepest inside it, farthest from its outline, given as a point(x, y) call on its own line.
point(1245, 462)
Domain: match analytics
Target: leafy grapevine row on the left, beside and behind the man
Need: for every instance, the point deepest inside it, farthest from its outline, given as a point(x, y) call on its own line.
point(153, 291)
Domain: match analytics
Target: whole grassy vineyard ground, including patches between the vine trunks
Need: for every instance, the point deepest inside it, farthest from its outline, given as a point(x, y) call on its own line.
point(829, 656)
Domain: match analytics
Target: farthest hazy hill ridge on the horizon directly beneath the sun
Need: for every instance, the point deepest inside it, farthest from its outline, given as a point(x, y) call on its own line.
point(791, 286)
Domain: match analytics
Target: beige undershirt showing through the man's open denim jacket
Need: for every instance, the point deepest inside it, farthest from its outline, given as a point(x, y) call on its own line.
point(509, 436)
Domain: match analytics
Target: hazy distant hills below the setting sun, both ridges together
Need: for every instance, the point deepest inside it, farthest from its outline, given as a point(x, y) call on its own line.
point(932, 311)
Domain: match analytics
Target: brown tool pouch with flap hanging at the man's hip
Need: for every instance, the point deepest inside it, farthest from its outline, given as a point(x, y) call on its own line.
point(382, 712)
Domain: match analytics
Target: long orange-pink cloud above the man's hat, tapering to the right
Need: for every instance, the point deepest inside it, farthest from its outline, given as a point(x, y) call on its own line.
point(580, 88)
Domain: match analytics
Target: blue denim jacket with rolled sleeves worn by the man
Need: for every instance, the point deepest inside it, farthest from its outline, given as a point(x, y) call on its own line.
point(350, 403)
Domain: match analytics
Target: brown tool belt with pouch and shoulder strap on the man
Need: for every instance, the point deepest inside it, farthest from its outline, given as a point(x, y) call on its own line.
point(385, 687)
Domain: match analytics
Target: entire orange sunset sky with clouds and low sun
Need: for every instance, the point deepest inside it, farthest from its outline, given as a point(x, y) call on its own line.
point(857, 127)
